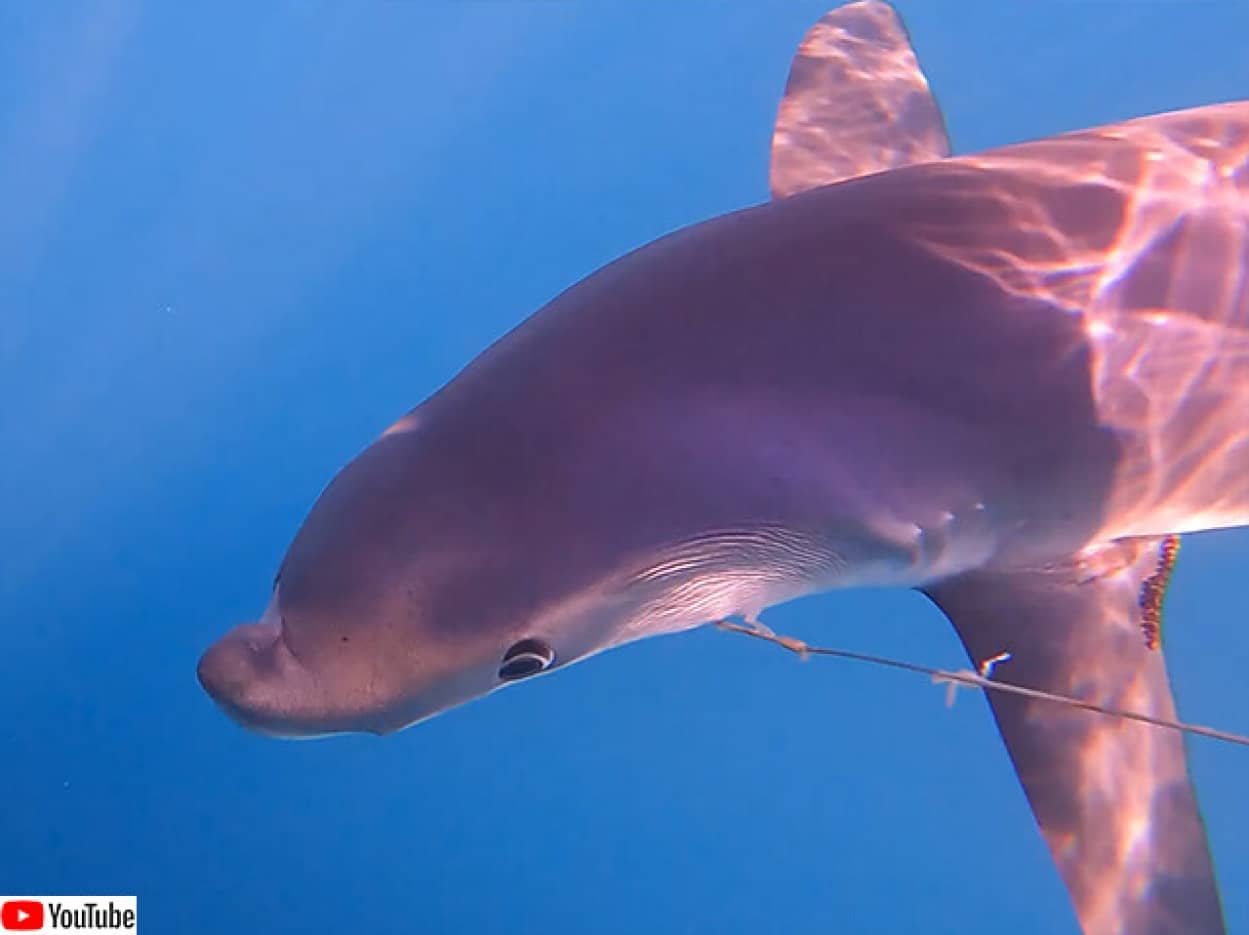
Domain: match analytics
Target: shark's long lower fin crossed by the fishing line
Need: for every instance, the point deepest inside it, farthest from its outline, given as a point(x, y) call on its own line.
point(1112, 797)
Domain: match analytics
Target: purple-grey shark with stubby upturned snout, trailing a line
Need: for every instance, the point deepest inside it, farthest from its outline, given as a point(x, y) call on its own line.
point(1010, 380)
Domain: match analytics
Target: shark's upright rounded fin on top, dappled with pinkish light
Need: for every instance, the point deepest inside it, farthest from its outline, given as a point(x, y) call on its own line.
point(856, 103)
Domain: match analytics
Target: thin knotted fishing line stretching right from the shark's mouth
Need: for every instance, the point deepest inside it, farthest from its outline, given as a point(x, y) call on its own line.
point(966, 677)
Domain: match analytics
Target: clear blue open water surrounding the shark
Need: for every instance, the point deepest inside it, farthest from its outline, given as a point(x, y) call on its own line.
point(238, 240)
